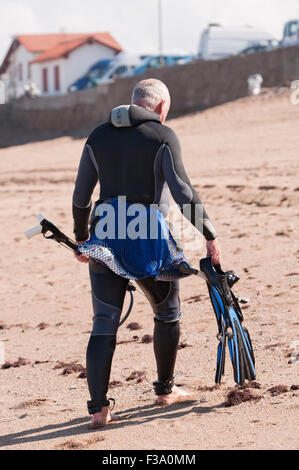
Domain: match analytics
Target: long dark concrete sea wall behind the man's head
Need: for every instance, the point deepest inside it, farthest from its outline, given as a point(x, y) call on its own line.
point(193, 87)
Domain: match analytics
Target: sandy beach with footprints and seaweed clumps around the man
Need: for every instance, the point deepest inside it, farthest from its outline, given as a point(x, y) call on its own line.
point(242, 157)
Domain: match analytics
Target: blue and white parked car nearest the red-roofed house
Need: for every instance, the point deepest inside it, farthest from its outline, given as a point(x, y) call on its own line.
point(104, 71)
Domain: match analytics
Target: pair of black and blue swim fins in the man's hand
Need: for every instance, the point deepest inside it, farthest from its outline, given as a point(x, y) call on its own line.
point(229, 319)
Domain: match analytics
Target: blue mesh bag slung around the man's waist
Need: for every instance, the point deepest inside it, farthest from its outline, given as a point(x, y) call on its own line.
point(150, 251)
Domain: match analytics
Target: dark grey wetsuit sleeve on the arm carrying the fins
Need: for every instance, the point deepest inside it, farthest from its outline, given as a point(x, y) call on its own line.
point(181, 189)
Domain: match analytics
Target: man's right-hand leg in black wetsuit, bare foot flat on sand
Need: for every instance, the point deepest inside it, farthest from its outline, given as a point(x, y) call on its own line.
point(165, 301)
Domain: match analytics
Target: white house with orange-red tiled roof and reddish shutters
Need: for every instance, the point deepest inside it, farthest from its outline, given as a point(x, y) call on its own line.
point(52, 62)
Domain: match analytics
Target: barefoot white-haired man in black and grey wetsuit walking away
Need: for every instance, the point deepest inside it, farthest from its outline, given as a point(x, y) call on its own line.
point(137, 156)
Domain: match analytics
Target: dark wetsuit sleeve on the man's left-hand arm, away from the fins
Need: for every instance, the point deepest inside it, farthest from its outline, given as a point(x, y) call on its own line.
point(87, 178)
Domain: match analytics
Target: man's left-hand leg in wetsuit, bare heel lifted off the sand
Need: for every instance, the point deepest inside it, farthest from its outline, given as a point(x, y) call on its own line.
point(108, 292)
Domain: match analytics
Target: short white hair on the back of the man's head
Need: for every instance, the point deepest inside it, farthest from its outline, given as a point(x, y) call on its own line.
point(149, 93)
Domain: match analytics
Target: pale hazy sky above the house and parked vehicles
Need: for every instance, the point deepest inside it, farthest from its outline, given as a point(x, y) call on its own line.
point(134, 23)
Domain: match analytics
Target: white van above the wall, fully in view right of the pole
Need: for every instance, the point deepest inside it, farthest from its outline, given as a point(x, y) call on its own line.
point(218, 42)
